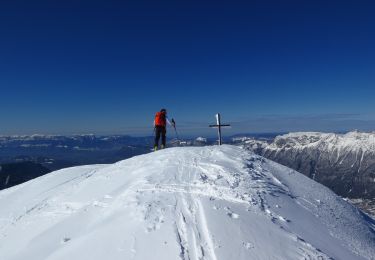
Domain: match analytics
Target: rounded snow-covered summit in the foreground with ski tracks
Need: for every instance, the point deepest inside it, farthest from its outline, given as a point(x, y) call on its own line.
point(212, 203)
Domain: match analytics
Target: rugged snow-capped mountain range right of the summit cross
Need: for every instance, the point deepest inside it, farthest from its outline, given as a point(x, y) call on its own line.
point(343, 162)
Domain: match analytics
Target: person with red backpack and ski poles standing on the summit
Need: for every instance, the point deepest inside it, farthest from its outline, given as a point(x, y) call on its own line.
point(160, 127)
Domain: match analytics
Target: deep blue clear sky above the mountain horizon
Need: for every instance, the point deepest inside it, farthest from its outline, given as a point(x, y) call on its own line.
point(107, 66)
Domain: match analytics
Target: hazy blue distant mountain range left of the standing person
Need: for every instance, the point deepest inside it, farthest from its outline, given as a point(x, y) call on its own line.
point(56, 152)
